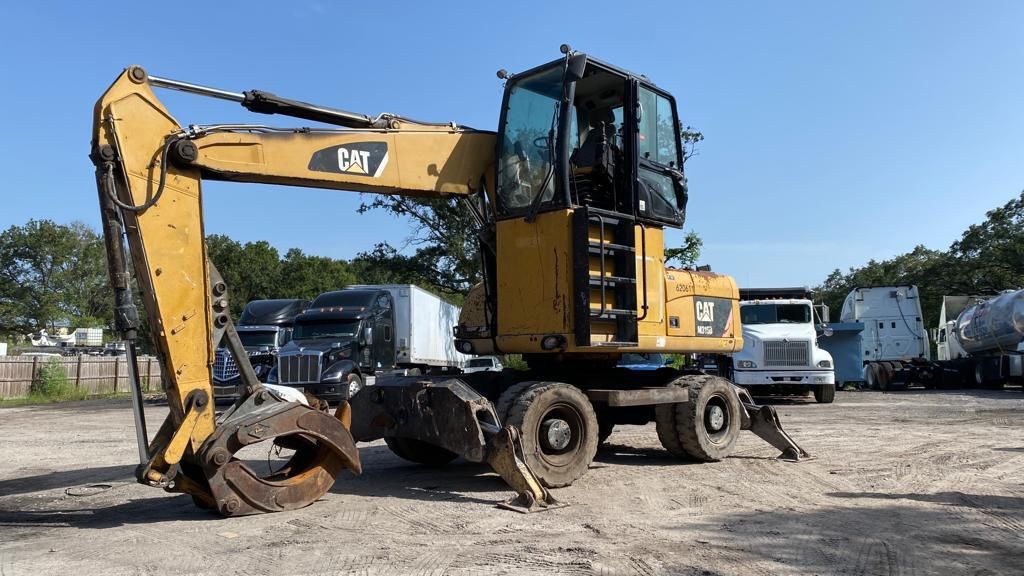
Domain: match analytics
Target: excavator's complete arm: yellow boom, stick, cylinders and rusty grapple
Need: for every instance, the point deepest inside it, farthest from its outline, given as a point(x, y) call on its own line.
point(149, 172)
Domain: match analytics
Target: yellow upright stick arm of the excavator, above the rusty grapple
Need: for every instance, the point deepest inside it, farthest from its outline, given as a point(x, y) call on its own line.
point(167, 245)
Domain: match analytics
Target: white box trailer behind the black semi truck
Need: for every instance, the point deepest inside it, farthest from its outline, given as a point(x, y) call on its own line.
point(423, 326)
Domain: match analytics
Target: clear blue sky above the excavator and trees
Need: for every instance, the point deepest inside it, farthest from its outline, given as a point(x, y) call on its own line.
point(836, 134)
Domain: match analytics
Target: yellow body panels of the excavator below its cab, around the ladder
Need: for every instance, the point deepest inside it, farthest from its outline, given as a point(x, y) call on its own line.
point(535, 287)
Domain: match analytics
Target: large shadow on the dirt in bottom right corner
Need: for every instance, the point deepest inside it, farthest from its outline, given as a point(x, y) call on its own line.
point(871, 533)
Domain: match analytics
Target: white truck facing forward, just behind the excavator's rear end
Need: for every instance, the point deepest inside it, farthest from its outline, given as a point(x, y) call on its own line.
point(781, 353)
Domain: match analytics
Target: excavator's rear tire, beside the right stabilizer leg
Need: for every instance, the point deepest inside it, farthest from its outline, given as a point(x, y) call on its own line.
point(685, 428)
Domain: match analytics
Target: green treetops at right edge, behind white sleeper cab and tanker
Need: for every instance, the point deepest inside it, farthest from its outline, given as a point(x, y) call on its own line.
point(988, 260)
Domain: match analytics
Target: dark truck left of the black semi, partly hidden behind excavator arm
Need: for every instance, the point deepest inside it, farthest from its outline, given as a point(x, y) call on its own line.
point(264, 327)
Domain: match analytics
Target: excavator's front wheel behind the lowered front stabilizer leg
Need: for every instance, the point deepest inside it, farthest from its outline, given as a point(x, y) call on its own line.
point(560, 432)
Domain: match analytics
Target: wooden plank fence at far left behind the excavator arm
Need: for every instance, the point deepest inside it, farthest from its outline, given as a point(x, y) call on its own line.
point(91, 374)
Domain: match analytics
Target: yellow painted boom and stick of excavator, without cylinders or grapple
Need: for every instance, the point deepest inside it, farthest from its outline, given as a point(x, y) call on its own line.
point(167, 240)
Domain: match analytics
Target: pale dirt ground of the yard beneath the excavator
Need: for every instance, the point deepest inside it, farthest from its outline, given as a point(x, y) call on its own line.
point(906, 483)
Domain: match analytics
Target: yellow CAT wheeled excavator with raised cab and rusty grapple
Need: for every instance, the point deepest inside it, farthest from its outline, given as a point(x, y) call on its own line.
point(572, 196)
